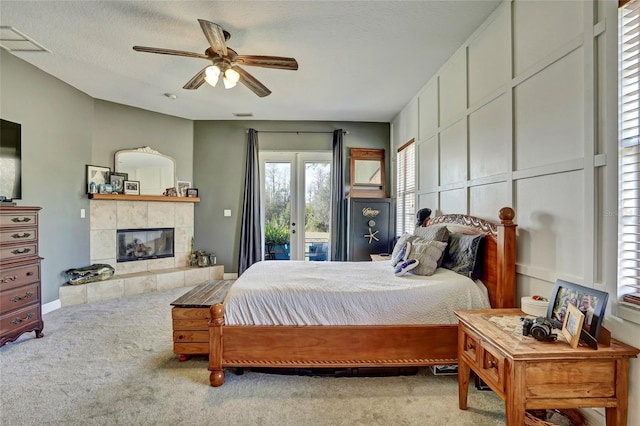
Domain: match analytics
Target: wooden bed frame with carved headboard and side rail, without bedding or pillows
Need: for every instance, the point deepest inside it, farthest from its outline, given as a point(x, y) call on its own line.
point(368, 345)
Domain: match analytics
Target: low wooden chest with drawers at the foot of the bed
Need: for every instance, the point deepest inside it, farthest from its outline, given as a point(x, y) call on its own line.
point(190, 317)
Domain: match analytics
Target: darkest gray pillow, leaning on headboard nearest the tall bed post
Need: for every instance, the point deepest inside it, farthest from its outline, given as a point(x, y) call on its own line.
point(463, 255)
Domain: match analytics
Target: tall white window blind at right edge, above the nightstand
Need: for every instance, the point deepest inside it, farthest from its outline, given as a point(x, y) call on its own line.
point(629, 155)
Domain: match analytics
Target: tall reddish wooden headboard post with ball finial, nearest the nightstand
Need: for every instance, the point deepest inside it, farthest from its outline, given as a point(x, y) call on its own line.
point(506, 294)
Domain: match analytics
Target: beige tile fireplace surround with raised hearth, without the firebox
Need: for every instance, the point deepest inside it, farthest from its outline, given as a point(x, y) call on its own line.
point(144, 276)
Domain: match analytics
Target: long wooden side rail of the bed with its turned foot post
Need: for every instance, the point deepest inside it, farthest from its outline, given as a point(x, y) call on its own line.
point(326, 346)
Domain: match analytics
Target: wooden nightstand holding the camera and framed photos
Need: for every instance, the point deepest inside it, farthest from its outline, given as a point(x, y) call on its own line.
point(528, 374)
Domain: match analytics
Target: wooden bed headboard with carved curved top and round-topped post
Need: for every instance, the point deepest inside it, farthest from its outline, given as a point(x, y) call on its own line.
point(498, 255)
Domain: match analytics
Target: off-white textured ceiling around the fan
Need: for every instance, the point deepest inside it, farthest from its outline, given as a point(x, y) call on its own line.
point(358, 60)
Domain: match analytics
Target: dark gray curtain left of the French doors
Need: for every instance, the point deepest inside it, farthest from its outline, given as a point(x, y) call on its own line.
point(251, 246)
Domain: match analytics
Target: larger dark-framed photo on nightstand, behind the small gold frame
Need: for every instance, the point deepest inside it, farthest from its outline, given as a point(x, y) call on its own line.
point(590, 302)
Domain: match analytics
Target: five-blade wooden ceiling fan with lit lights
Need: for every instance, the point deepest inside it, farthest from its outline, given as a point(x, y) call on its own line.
point(226, 61)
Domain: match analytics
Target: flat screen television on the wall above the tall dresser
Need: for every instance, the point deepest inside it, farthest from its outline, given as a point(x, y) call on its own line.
point(10, 160)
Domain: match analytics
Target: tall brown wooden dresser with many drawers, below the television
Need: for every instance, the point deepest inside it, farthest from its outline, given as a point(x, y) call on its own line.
point(20, 290)
